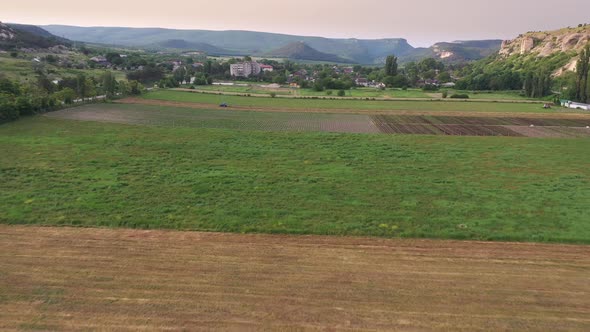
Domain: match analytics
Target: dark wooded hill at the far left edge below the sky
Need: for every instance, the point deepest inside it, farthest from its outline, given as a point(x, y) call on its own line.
point(13, 36)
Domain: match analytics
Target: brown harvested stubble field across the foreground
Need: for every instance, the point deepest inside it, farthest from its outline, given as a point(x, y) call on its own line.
point(72, 279)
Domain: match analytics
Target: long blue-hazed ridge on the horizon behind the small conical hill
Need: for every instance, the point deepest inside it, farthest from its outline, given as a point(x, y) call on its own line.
point(240, 42)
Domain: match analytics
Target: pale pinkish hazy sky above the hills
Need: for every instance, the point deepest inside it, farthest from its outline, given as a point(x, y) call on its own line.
point(422, 22)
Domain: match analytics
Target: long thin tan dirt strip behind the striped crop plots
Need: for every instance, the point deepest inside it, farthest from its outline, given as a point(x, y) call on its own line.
point(155, 102)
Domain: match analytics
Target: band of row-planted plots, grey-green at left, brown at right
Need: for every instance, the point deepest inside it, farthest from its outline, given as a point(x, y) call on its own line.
point(330, 122)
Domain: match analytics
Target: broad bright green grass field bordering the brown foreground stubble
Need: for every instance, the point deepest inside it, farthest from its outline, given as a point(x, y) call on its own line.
point(64, 172)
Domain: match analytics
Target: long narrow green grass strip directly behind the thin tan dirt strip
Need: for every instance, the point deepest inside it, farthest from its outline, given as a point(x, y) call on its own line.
point(466, 106)
